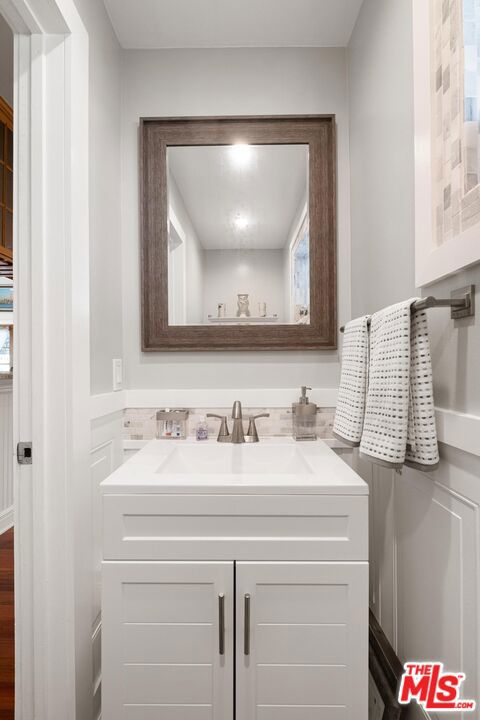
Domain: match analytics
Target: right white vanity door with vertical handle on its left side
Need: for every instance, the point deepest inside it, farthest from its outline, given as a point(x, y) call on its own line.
point(302, 641)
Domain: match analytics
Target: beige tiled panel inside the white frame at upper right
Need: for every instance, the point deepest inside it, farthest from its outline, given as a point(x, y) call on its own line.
point(455, 116)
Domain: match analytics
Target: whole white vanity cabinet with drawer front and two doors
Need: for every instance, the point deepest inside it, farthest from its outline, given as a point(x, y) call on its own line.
point(235, 603)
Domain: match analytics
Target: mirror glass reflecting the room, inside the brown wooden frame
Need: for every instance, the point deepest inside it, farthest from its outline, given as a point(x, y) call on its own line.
point(238, 241)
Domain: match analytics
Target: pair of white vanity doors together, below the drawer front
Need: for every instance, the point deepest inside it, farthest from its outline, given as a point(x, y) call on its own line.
point(170, 630)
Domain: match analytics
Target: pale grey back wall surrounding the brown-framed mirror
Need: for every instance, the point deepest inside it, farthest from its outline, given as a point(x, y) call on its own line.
point(228, 82)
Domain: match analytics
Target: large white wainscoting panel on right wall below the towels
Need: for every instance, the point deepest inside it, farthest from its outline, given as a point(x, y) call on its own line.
point(437, 551)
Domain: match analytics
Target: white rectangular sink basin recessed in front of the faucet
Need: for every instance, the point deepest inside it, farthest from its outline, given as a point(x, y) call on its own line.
point(229, 459)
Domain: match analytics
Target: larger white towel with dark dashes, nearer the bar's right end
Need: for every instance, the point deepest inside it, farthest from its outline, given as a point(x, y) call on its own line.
point(399, 424)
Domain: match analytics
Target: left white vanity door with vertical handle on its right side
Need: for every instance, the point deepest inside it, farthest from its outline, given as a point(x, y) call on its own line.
point(167, 641)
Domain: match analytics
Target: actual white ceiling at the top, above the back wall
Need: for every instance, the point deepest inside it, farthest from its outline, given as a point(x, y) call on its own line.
point(150, 24)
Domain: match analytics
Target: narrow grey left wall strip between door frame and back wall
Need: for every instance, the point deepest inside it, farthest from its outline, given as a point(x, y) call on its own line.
point(105, 238)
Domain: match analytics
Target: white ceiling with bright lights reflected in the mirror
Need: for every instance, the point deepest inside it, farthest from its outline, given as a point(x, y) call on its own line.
point(241, 196)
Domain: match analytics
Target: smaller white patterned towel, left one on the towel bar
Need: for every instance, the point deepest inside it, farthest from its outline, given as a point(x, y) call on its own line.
point(352, 393)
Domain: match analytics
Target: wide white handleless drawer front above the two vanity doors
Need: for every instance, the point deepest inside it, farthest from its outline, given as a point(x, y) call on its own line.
point(225, 527)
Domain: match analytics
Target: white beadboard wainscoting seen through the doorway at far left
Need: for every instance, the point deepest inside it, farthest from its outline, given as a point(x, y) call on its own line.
point(6, 457)
